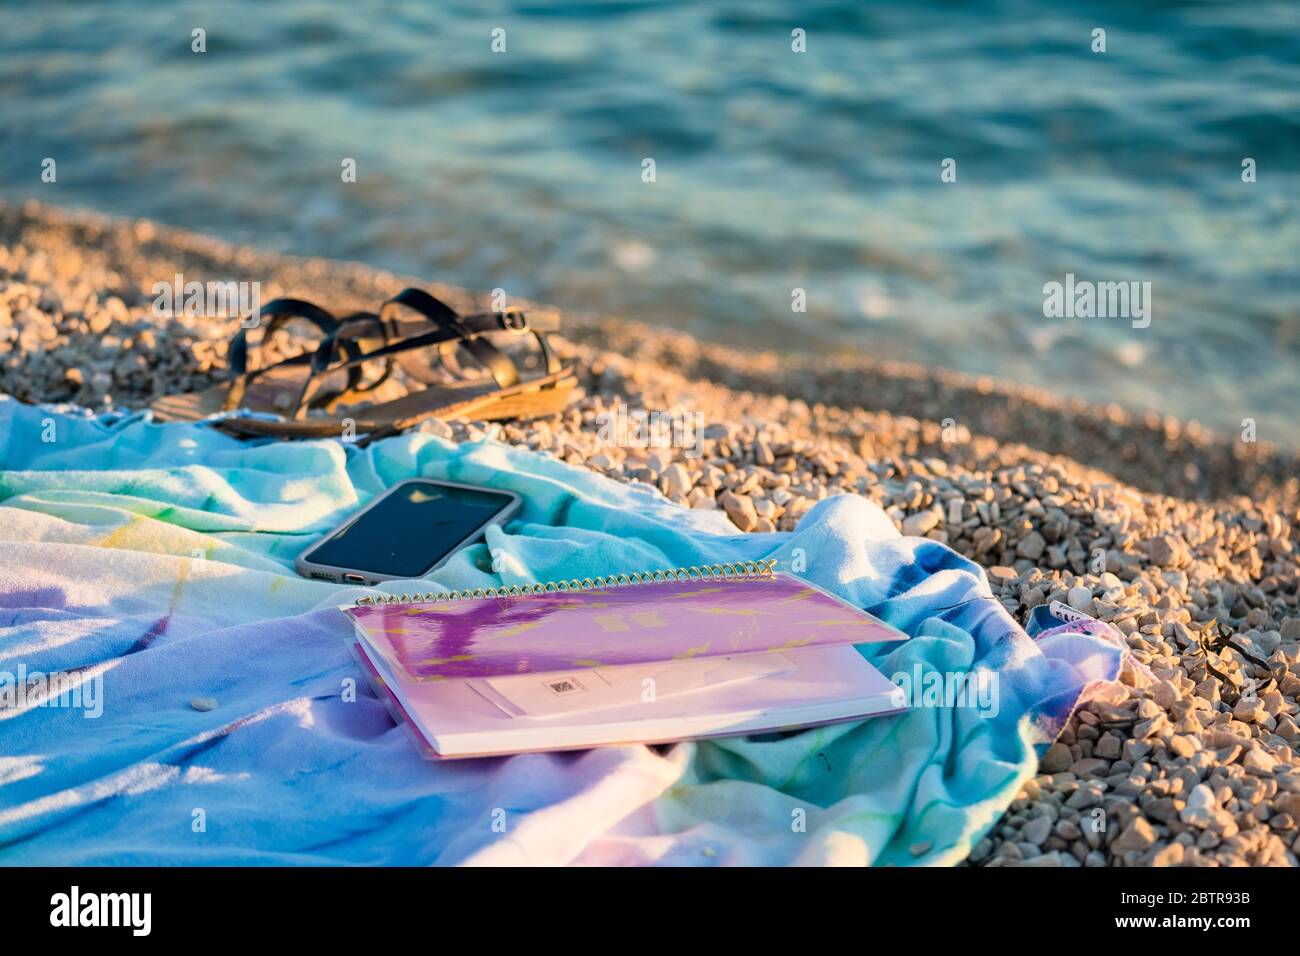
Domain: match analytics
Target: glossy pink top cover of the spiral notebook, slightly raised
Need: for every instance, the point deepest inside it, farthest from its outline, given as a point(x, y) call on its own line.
point(662, 621)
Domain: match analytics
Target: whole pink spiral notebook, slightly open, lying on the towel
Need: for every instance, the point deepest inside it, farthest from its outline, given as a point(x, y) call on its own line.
point(652, 657)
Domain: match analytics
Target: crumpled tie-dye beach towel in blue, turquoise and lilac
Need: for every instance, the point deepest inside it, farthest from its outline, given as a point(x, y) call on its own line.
point(209, 712)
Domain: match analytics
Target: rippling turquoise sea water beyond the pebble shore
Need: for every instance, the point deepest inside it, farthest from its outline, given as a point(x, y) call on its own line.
point(775, 171)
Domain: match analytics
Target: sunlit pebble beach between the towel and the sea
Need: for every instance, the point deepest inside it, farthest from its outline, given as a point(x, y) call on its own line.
point(1156, 526)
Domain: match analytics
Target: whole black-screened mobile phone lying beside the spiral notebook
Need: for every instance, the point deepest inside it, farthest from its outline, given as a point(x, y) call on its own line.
point(410, 530)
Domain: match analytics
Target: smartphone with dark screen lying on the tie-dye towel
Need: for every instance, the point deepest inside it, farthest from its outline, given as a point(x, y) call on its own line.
point(408, 533)
